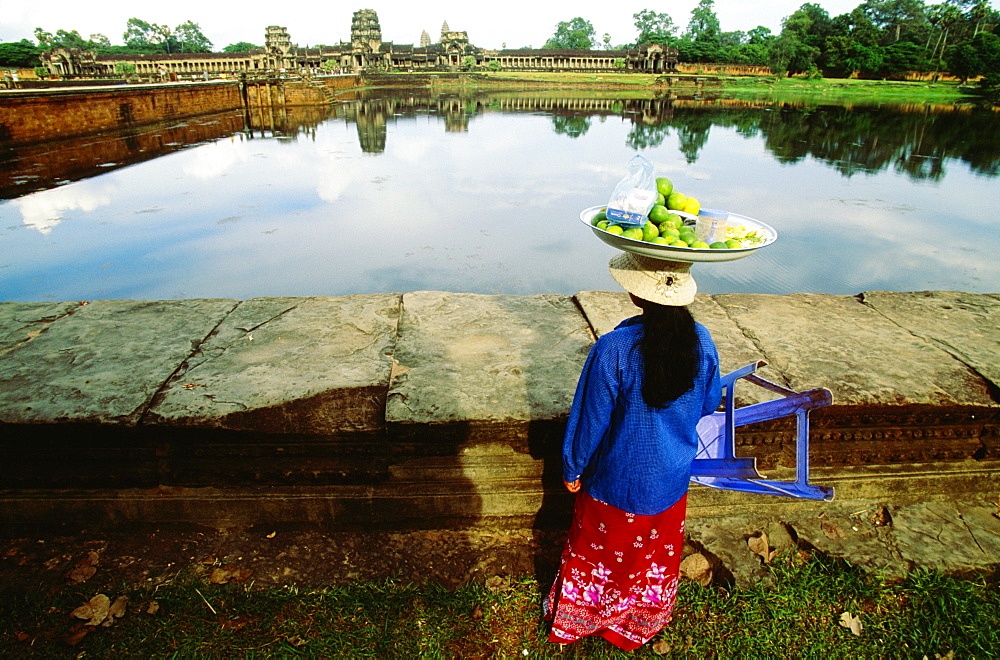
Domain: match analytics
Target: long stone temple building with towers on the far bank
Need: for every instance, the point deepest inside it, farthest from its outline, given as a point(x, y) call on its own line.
point(365, 52)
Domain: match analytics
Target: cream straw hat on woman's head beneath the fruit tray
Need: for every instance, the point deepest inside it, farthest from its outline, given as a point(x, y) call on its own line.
point(655, 280)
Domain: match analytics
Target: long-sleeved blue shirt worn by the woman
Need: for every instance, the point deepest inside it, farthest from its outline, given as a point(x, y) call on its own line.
point(626, 453)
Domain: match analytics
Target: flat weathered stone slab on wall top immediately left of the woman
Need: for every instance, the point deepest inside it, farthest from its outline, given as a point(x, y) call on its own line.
point(471, 359)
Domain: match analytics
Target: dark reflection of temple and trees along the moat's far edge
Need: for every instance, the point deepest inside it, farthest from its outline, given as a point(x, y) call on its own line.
point(914, 139)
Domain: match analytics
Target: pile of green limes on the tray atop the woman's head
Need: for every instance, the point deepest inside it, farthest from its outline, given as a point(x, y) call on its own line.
point(664, 226)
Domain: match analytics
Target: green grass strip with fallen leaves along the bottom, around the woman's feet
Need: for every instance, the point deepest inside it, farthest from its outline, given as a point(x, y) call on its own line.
point(925, 615)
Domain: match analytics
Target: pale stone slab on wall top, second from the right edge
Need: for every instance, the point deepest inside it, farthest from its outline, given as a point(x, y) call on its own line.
point(864, 358)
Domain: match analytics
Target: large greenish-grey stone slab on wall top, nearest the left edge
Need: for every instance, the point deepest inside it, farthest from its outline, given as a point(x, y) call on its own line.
point(104, 363)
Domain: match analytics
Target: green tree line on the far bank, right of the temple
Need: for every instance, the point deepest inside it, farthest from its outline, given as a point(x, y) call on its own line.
point(877, 39)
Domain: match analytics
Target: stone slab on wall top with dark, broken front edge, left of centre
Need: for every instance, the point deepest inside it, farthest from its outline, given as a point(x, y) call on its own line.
point(317, 366)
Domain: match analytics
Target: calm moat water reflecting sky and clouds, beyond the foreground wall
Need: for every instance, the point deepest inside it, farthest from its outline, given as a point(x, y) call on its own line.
point(481, 192)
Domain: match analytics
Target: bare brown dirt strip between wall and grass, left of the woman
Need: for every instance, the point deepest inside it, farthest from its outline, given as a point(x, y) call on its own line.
point(52, 558)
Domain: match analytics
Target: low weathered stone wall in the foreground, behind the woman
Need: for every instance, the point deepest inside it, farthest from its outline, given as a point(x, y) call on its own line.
point(445, 409)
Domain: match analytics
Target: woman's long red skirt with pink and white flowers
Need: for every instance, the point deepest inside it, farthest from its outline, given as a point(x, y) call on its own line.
point(618, 574)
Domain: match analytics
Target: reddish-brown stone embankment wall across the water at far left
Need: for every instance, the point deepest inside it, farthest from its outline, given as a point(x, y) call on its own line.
point(35, 115)
